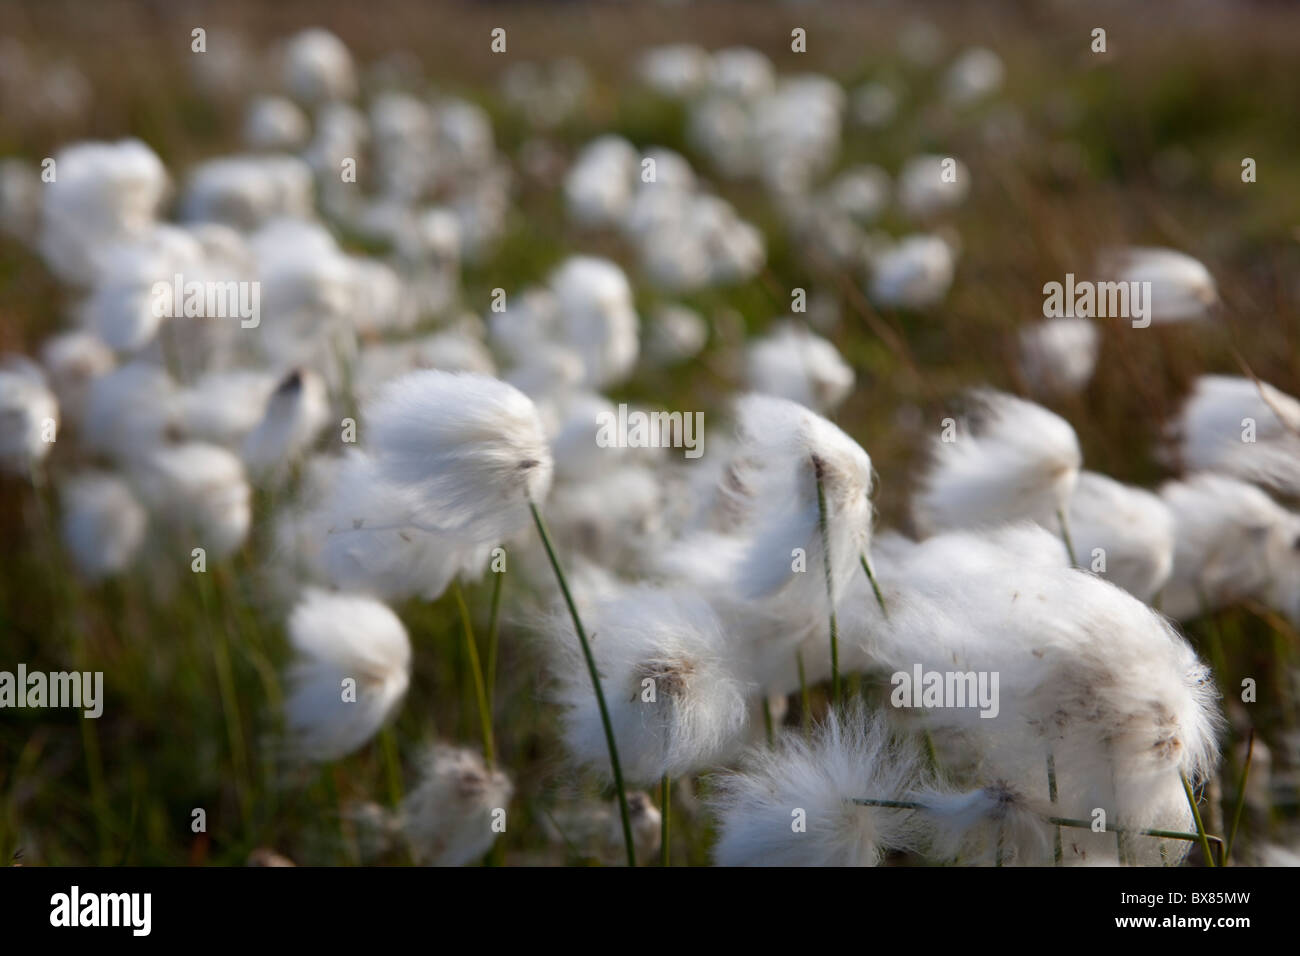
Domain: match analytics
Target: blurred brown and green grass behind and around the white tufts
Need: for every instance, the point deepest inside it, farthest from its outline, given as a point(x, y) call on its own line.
point(1067, 153)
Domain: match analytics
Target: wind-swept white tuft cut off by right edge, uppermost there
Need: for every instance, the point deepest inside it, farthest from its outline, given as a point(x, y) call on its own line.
point(1243, 429)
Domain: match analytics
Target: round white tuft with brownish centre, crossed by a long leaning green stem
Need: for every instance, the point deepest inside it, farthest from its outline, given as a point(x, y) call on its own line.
point(677, 703)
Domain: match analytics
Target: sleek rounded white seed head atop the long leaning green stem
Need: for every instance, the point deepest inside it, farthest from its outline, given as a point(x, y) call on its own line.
point(469, 451)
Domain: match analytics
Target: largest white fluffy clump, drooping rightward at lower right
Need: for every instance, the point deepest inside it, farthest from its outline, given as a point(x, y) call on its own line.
point(1086, 673)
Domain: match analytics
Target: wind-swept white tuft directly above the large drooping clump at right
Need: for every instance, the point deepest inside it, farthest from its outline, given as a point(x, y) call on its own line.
point(1008, 460)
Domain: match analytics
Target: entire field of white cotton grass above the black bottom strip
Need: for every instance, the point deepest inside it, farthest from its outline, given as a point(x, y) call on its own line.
point(638, 436)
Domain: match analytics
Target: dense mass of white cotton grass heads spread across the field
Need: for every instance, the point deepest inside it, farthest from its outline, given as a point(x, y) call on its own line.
point(678, 608)
